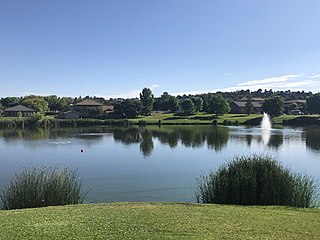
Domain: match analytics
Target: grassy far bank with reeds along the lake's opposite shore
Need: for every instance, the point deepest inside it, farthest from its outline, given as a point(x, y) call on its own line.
point(169, 119)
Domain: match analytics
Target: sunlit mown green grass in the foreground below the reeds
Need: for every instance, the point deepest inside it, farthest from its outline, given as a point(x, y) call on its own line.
point(160, 221)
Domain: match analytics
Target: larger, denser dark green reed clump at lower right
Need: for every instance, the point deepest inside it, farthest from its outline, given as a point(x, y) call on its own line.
point(257, 180)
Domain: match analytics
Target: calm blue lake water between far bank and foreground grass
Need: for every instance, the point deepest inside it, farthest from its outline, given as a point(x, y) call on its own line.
point(152, 163)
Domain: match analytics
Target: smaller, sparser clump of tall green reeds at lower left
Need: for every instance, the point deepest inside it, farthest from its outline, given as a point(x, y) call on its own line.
point(41, 187)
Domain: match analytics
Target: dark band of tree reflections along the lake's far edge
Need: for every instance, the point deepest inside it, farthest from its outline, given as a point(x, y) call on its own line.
point(215, 138)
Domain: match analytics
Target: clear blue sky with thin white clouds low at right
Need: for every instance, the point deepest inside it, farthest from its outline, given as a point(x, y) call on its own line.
point(114, 48)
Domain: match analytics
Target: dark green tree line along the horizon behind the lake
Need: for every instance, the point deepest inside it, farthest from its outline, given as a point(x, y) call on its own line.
point(214, 103)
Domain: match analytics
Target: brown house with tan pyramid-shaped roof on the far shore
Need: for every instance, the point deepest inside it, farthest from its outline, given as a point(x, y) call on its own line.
point(87, 108)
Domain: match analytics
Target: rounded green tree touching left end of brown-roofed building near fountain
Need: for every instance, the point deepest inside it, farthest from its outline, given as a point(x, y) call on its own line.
point(217, 104)
